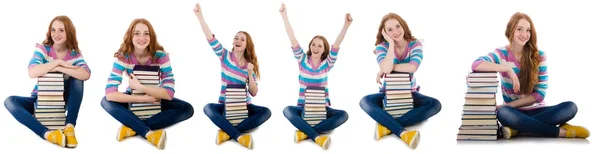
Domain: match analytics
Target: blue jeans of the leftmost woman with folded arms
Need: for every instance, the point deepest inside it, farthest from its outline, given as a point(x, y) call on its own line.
point(22, 108)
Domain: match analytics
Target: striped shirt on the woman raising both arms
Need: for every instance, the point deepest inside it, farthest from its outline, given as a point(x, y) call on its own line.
point(313, 74)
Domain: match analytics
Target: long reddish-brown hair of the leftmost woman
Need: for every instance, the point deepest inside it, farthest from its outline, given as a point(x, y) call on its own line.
point(71, 42)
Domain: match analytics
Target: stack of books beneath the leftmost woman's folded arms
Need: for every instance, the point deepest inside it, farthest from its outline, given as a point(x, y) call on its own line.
point(50, 105)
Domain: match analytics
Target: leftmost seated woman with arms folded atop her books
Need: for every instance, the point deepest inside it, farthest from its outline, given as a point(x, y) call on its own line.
point(58, 53)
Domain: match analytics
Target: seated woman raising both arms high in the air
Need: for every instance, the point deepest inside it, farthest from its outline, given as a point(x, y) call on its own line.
point(314, 67)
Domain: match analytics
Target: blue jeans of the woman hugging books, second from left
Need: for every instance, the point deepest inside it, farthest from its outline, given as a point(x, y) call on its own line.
point(172, 112)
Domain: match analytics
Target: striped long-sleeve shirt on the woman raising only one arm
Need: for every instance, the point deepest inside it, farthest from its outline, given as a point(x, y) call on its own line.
point(232, 72)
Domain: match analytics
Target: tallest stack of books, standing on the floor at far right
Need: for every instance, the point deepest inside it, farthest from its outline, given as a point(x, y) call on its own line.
point(479, 121)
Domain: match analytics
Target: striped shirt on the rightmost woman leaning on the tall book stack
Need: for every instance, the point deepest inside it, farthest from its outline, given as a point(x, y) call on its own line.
point(503, 56)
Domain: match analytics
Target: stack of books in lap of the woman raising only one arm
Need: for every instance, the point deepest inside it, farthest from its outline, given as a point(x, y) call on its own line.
point(236, 104)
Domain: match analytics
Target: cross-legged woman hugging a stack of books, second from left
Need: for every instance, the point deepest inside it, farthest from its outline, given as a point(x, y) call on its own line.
point(140, 47)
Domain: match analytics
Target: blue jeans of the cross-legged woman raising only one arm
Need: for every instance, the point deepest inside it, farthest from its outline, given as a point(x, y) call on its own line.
point(257, 115)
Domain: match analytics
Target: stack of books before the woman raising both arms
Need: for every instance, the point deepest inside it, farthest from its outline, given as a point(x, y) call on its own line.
point(315, 103)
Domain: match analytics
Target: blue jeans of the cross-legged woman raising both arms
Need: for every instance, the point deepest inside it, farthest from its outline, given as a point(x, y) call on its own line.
point(335, 118)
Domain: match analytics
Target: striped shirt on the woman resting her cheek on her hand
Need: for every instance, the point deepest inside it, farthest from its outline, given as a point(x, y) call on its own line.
point(413, 54)
